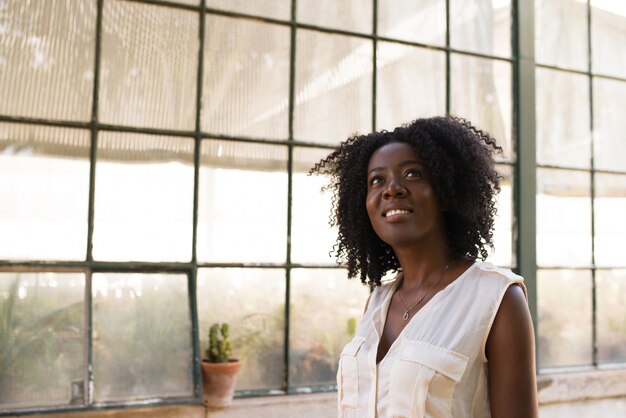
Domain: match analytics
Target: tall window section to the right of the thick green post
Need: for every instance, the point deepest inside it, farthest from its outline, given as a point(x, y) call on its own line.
point(581, 182)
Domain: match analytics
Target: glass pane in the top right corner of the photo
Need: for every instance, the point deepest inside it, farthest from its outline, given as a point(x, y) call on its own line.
point(608, 37)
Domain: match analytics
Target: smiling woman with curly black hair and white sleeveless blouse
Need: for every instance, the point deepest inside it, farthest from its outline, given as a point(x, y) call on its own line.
point(450, 335)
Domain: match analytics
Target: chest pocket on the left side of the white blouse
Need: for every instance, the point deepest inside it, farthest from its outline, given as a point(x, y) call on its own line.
point(350, 369)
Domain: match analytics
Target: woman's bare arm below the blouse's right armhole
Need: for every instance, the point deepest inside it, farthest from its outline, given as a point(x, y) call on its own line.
point(511, 354)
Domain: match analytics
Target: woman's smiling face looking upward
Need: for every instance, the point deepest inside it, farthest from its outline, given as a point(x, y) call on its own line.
point(401, 202)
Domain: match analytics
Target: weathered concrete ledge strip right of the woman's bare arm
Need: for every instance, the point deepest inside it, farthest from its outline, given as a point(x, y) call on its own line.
point(581, 385)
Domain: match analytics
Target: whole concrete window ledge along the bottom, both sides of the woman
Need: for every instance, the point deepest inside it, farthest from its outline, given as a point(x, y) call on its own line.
point(573, 393)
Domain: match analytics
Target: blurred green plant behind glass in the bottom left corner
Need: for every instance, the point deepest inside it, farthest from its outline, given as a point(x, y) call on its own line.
point(37, 332)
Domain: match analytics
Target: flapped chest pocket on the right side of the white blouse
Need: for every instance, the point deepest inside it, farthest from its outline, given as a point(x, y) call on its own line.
point(423, 380)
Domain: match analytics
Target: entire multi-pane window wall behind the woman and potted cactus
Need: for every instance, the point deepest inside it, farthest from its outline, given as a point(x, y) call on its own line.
point(153, 180)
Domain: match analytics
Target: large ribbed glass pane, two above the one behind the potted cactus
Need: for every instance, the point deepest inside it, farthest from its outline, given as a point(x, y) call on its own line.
point(246, 78)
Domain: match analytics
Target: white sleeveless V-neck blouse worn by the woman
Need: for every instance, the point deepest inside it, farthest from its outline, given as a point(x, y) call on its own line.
point(437, 367)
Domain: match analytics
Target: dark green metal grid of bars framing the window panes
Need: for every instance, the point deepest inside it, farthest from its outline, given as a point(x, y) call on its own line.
point(524, 167)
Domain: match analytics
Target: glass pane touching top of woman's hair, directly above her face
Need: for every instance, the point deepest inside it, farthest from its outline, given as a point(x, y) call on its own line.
point(405, 76)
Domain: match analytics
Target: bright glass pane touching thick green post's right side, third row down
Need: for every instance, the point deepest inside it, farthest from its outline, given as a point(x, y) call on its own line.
point(563, 218)
